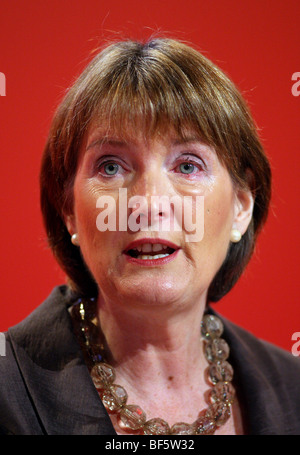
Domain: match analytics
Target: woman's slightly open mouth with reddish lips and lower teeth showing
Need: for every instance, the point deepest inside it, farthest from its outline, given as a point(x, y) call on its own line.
point(153, 250)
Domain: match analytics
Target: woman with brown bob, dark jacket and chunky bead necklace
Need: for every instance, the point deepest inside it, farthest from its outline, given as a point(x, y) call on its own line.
point(150, 135)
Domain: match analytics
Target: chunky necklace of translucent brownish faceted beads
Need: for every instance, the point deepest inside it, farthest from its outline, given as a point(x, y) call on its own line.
point(114, 397)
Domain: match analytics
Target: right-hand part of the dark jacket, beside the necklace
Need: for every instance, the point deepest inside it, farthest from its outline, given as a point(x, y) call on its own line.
point(268, 379)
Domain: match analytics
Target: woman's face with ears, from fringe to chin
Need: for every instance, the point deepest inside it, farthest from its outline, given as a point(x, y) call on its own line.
point(164, 265)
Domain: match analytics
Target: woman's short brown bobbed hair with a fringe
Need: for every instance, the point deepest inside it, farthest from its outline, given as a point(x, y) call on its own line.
point(155, 83)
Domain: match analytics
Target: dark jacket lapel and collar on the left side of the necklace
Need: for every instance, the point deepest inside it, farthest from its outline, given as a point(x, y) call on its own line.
point(55, 374)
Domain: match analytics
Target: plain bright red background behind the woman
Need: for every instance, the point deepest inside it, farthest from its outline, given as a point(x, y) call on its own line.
point(44, 44)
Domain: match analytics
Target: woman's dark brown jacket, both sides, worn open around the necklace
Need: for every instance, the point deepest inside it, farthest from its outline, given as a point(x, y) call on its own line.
point(45, 387)
